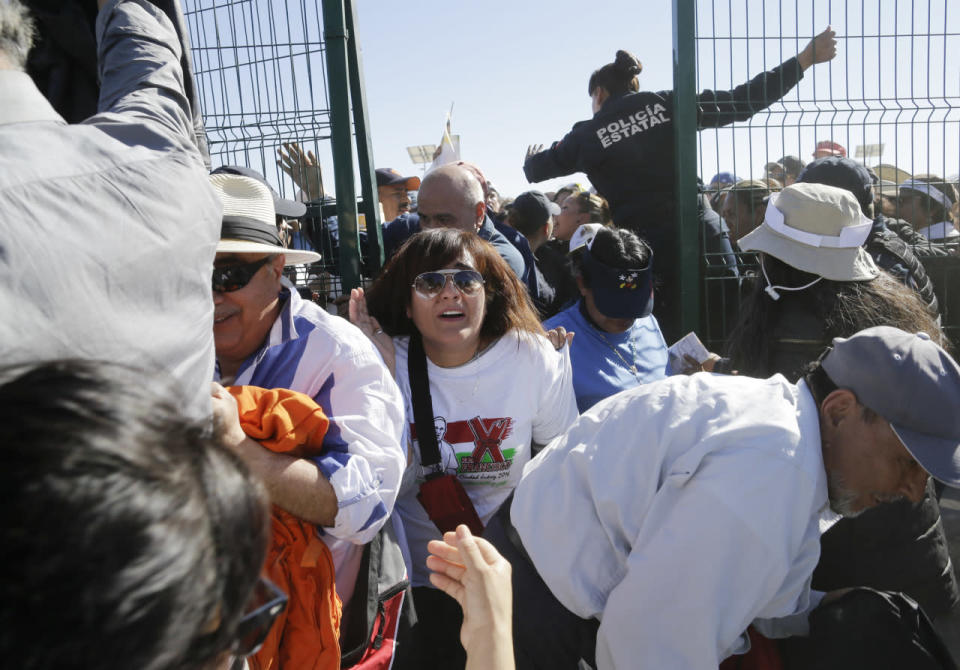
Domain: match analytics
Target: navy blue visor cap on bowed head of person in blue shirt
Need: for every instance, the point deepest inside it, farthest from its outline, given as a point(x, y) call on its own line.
point(620, 293)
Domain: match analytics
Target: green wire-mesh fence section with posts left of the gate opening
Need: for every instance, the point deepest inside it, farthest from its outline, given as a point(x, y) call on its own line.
point(270, 72)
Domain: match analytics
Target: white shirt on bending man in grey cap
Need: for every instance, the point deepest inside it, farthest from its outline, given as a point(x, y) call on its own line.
point(677, 513)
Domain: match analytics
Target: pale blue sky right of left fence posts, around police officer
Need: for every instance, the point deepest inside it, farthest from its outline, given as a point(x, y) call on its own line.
point(517, 74)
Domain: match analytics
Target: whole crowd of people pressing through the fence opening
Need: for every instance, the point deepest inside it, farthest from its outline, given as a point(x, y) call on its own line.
point(490, 458)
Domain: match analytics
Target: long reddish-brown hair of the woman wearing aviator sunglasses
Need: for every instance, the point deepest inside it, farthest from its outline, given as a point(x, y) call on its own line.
point(508, 305)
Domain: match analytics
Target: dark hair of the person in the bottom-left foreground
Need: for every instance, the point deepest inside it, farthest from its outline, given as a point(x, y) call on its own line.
point(134, 539)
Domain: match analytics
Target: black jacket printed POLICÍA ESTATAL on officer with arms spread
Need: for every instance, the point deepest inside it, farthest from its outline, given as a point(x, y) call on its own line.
point(626, 149)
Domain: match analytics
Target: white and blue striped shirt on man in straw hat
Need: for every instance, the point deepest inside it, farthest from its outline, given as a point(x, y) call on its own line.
point(330, 360)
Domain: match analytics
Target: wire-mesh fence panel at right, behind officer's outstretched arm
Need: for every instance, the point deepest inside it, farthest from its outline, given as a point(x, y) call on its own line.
point(891, 97)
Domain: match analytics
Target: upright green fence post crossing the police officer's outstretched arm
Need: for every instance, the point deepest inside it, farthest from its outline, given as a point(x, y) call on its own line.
point(685, 170)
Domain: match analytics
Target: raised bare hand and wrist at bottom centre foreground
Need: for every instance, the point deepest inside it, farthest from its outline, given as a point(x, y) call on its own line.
point(471, 571)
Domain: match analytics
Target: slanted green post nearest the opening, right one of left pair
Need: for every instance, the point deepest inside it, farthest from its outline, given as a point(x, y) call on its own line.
point(361, 120)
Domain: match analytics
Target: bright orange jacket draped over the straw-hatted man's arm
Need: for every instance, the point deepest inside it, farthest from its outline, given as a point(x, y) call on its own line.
point(306, 635)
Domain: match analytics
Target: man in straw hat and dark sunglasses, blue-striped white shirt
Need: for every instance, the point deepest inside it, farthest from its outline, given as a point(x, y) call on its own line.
point(267, 336)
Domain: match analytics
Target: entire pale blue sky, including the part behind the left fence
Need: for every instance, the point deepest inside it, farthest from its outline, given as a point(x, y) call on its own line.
point(516, 73)
